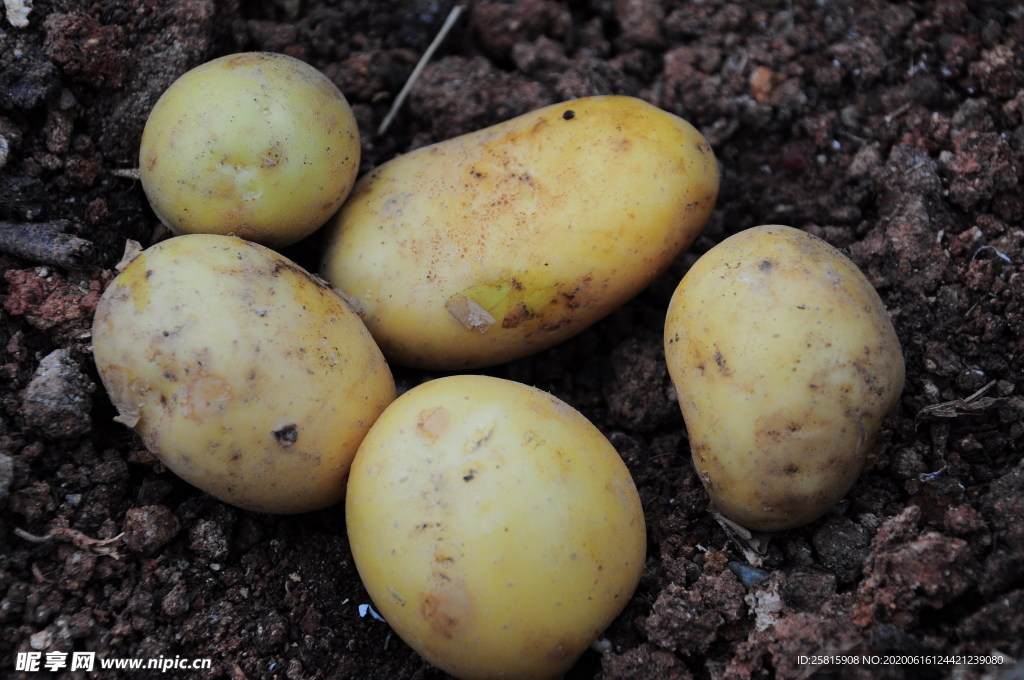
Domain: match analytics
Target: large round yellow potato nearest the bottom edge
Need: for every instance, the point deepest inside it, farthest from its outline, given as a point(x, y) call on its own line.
point(497, 531)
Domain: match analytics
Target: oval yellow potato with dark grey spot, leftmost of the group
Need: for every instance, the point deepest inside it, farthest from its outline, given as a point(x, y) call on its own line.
point(248, 377)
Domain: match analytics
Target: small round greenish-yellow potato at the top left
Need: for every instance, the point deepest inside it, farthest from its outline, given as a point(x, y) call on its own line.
point(260, 145)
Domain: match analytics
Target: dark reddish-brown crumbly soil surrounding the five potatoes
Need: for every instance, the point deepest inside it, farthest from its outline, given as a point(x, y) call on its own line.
point(891, 131)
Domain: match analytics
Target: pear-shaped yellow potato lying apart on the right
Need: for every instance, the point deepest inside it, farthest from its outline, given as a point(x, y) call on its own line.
point(786, 364)
